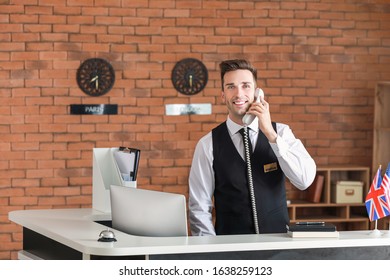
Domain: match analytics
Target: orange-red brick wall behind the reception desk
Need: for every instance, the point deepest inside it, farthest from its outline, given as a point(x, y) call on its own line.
point(318, 60)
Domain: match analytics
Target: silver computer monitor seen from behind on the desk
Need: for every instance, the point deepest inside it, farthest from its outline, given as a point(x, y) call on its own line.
point(148, 213)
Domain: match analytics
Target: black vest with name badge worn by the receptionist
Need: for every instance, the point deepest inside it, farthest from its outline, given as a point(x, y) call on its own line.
point(231, 195)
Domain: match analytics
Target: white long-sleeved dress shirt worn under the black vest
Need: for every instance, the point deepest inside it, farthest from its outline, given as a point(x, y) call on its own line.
point(295, 162)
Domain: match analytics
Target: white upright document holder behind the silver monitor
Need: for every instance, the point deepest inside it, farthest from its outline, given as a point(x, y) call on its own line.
point(105, 173)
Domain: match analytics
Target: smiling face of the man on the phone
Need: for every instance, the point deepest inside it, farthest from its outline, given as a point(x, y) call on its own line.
point(238, 93)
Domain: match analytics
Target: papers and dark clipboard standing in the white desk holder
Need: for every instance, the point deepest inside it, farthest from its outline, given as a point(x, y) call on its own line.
point(127, 160)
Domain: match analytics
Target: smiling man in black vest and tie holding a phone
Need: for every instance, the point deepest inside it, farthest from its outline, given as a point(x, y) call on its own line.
point(219, 175)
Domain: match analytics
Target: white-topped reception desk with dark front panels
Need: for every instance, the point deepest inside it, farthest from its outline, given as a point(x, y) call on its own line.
point(73, 234)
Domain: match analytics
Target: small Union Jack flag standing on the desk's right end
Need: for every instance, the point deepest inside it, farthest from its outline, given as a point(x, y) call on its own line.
point(376, 202)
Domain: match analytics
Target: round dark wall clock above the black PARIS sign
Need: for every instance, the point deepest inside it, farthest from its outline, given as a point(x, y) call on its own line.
point(95, 76)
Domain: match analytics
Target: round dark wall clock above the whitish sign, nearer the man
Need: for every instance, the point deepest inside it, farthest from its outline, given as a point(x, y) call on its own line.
point(189, 76)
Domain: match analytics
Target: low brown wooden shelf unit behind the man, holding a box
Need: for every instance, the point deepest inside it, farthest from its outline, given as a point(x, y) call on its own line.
point(345, 216)
